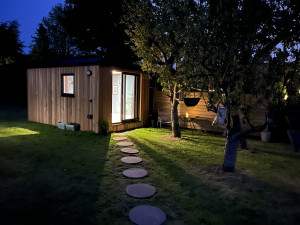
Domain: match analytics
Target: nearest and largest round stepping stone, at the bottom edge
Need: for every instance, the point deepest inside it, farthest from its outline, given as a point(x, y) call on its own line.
point(147, 215)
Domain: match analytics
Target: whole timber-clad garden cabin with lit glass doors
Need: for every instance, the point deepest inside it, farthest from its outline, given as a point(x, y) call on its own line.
point(83, 94)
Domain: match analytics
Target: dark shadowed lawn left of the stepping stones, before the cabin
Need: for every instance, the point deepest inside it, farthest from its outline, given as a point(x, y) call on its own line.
point(52, 177)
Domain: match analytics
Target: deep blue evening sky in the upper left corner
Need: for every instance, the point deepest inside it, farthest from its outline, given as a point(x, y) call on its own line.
point(28, 13)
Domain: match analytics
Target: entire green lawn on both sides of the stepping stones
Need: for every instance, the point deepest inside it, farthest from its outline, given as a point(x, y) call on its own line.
point(50, 176)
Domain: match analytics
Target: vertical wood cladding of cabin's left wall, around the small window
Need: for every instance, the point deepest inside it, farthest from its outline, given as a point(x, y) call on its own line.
point(45, 104)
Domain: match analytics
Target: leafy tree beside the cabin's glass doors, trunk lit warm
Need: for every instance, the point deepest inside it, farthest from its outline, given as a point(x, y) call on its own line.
point(158, 32)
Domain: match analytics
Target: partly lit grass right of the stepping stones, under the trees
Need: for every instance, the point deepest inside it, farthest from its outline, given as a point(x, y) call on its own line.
point(264, 189)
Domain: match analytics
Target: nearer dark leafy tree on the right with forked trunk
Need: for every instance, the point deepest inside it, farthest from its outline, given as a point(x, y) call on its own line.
point(231, 49)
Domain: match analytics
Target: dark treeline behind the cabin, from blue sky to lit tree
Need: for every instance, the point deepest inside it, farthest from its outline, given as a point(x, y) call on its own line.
point(84, 28)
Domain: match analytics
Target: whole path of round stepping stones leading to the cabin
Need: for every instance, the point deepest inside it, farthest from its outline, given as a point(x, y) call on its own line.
point(142, 214)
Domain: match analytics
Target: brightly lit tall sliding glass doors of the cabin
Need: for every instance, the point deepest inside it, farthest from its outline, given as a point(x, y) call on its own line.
point(125, 97)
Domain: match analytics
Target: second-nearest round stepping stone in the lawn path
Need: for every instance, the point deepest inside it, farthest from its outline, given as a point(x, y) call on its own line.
point(140, 190)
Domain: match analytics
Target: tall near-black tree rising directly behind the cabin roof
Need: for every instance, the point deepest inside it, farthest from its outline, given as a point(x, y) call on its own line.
point(96, 28)
